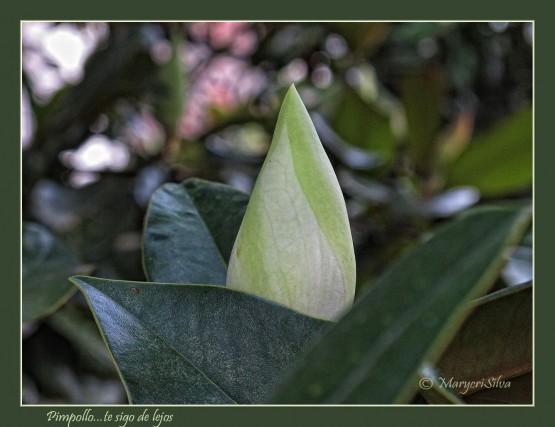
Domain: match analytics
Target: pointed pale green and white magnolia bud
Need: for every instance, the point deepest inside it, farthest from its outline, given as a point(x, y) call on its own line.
point(294, 246)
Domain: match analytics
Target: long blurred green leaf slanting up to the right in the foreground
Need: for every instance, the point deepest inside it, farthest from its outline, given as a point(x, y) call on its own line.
point(372, 355)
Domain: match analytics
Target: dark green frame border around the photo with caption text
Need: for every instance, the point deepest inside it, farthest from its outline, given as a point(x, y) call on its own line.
point(15, 415)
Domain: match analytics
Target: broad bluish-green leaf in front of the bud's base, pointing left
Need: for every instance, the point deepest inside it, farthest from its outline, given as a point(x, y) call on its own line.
point(199, 344)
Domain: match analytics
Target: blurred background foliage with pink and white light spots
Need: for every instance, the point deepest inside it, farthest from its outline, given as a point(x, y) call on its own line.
point(420, 120)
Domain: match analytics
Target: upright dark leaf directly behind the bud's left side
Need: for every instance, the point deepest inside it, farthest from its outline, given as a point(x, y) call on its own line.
point(189, 232)
